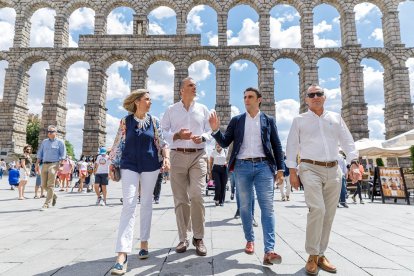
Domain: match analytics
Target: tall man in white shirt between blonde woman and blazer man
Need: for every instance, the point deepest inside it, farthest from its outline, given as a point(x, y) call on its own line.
point(185, 126)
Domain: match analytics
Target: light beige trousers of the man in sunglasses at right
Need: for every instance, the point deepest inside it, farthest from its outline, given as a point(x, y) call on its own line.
point(322, 188)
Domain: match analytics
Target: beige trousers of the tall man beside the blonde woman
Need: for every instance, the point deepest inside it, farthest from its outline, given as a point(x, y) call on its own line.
point(188, 179)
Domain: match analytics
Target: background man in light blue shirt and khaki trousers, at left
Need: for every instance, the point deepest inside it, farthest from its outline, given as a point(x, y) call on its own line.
point(51, 152)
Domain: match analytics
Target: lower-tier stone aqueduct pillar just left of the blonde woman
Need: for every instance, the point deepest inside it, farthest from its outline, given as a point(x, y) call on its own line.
point(94, 129)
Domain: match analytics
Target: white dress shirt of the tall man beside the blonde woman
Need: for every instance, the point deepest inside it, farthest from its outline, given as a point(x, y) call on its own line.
point(176, 117)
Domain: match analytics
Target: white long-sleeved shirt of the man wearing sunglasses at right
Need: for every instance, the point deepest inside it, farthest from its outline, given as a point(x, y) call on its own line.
point(318, 138)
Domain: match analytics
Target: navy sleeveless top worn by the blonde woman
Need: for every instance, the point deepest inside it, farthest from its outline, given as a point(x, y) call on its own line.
point(140, 153)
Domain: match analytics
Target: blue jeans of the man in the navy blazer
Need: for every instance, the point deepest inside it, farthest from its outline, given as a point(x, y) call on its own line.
point(258, 175)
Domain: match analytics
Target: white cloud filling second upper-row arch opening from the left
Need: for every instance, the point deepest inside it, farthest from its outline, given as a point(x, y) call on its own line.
point(43, 28)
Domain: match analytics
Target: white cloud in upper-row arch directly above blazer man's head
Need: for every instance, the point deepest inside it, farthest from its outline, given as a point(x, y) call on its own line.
point(248, 35)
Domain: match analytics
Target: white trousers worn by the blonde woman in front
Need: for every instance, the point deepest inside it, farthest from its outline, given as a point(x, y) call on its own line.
point(130, 183)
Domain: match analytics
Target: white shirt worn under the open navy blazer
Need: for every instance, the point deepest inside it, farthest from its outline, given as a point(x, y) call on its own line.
point(252, 146)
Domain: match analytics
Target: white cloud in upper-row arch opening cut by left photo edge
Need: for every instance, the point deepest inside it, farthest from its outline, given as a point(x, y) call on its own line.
point(7, 19)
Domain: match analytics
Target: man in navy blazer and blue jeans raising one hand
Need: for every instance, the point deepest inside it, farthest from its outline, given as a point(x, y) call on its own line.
point(257, 161)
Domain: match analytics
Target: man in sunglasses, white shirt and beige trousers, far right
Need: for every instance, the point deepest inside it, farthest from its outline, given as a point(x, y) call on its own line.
point(314, 136)
